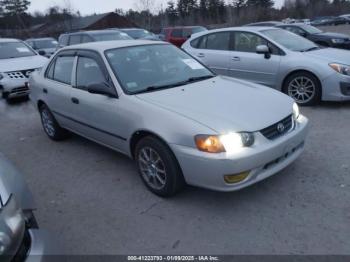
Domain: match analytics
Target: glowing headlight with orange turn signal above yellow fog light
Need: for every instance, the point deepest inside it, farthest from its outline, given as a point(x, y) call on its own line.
point(230, 143)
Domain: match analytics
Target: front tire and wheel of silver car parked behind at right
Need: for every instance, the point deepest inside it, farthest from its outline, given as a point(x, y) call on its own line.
point(304, 88)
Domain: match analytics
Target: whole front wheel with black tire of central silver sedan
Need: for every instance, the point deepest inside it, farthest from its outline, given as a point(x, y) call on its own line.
point(158, 167)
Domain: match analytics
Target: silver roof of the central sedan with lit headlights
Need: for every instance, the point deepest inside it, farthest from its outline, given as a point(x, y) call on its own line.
point(106, 45)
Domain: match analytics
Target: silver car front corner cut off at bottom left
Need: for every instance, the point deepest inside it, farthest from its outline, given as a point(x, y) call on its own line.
point(20, 237)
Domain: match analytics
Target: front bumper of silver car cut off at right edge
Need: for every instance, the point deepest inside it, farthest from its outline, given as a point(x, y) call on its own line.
point(336, 87)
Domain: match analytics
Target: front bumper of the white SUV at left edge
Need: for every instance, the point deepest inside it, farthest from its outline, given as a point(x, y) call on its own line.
point(15, 87)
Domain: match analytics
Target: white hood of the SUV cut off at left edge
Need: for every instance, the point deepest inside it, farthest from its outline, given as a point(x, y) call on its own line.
point(22, 63)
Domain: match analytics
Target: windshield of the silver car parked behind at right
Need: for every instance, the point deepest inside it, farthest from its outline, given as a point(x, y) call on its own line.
point(289, 40)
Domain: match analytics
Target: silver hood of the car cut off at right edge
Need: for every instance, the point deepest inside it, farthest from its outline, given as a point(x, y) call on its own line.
point(330, 55)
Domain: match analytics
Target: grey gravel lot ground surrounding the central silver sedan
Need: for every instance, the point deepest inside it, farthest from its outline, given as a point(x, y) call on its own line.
point(92, 199)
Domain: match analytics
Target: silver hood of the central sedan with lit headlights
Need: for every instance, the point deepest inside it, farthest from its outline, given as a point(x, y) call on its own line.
point(225, 104)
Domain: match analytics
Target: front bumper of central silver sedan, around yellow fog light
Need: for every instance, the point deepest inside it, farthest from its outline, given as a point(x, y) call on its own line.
point(264, 159)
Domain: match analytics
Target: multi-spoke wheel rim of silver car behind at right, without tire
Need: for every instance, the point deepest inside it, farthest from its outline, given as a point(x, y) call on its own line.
point(302, 89)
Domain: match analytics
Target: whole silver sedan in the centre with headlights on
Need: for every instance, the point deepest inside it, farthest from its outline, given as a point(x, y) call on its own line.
point(180, 122)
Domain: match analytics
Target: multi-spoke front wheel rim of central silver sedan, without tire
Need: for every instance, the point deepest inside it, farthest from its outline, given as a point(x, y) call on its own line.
point(152, 168)
